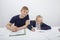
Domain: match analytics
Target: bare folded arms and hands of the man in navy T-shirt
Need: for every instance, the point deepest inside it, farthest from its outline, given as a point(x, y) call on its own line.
point(15, 28)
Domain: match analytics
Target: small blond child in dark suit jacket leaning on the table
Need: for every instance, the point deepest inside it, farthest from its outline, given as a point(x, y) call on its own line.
point(38, 24)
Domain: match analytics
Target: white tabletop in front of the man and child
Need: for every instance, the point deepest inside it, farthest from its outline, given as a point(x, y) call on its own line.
point(52, 34)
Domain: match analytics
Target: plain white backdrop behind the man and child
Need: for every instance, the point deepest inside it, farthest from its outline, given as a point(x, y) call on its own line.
point(49, 9)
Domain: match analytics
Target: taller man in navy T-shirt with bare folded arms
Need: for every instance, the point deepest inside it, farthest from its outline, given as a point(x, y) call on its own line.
point(20, 21)
